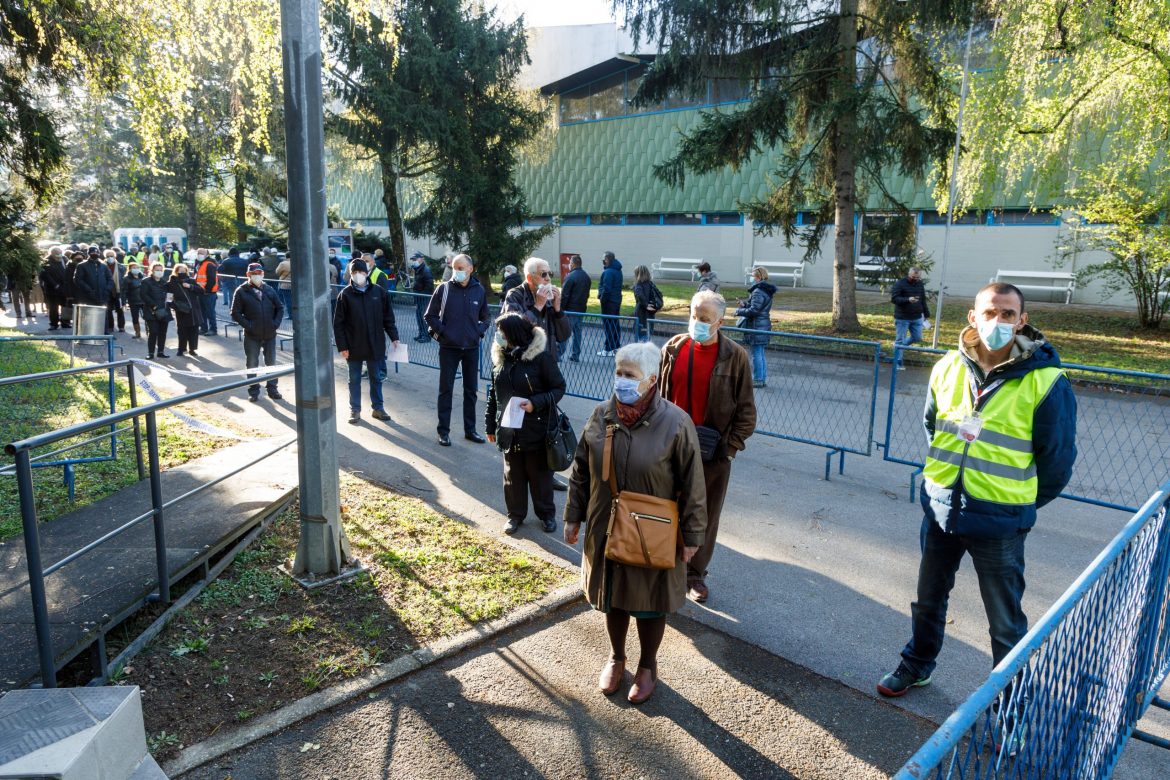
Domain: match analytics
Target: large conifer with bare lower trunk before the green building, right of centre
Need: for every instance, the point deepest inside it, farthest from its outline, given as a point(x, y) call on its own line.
point(843, 93)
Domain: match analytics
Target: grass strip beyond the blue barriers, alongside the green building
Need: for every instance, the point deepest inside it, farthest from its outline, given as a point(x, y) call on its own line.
point(1099, 336)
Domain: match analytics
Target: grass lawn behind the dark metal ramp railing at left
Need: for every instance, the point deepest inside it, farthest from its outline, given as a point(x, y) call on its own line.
point(38, 408)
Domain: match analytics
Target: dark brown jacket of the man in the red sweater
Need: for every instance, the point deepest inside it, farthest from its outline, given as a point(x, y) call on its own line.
point(731, 402)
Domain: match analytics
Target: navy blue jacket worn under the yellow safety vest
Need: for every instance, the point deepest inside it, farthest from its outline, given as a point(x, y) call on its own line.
point(1054, 447)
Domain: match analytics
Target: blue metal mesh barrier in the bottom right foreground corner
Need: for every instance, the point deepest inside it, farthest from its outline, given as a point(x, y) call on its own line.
point(1066, 700)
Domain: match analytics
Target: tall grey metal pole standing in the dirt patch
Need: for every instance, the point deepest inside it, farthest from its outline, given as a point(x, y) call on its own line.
point(322, 549)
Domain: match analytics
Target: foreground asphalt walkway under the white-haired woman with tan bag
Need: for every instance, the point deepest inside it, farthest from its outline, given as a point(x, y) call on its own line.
point(526, 706)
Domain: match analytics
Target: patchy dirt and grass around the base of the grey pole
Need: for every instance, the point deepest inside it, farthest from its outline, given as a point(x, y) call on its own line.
point(254, 641)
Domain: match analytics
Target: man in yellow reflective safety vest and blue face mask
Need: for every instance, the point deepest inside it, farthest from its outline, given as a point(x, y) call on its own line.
point(1001, 419)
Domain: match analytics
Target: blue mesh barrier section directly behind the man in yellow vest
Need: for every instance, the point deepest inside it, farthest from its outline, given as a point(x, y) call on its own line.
point(1123, 429)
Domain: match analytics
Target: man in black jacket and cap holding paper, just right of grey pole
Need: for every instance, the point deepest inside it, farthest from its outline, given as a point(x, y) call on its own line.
point(362, 321)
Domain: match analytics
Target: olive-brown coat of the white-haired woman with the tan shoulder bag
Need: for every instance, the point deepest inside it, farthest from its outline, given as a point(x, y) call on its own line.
point(658, 457)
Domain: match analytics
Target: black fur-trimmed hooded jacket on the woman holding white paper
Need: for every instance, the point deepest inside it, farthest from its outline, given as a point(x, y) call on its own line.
point(534, 375)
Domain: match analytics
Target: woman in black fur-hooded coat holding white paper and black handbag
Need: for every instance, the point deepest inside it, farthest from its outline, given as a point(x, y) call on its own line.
point(527, 385)
